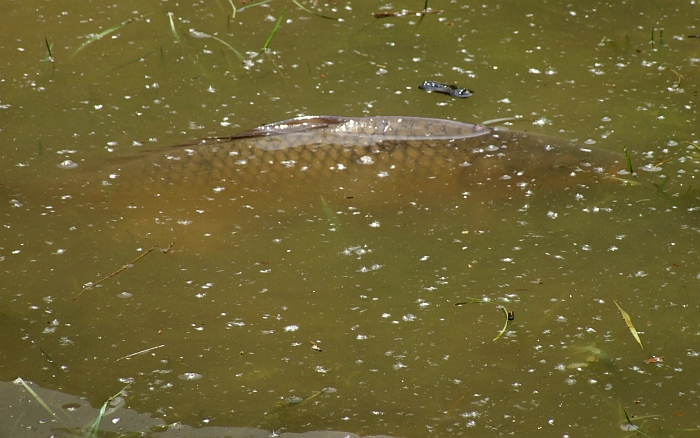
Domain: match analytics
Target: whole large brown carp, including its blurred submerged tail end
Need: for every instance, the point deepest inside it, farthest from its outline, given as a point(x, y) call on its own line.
point(348, 163)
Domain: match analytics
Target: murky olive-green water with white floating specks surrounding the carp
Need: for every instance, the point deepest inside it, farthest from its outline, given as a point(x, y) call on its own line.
point(244, 293)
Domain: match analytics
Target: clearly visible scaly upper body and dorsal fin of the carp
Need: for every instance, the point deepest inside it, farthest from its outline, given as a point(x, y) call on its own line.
point(360, 156)
